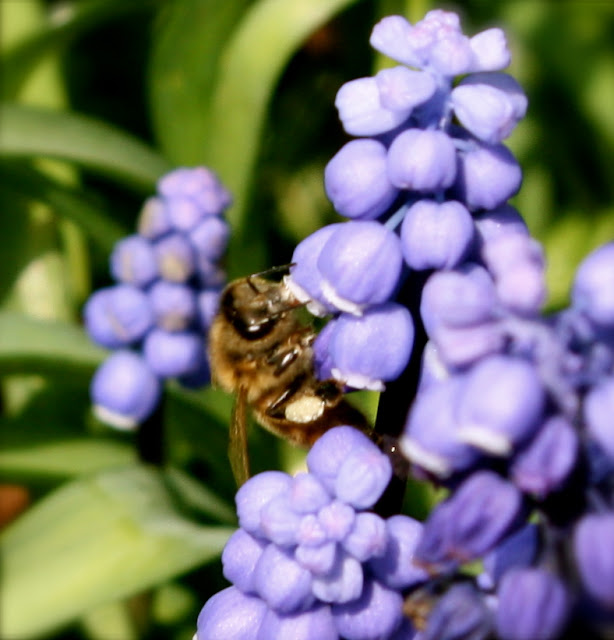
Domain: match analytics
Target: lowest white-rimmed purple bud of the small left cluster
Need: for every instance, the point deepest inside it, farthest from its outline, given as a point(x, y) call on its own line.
point(124, 390)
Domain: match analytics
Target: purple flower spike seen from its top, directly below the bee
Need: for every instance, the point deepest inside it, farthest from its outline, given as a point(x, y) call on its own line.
point(310, 558)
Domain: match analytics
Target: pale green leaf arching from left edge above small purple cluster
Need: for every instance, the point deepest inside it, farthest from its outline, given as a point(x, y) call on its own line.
point(30, 131)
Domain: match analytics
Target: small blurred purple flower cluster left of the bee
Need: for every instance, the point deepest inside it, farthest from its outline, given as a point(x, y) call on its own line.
point(168, 283)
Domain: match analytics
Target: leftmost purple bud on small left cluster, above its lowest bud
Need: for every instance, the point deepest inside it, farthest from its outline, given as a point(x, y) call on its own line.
point(117, 316)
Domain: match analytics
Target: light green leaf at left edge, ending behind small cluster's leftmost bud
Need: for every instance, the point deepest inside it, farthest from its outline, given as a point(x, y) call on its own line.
point(43, 346)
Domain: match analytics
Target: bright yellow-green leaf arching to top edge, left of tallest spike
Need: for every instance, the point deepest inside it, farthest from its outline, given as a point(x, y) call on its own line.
point(260, 48)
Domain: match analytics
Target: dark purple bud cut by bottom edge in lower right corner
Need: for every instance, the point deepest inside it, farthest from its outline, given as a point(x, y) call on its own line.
point(533, 603)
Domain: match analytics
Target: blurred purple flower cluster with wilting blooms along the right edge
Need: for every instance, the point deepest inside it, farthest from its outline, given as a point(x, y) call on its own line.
point(519, 427)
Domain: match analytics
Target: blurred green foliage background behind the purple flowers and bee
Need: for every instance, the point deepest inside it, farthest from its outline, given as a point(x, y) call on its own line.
point(101, 97)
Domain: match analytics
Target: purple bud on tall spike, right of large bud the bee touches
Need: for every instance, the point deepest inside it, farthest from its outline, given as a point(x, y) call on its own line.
point(436, 236)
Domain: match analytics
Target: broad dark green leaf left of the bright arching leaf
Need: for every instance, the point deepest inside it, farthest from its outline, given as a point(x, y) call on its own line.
point(189, 36)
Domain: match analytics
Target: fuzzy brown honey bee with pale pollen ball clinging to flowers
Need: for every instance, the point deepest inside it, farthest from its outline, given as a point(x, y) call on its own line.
point(261, 350)
